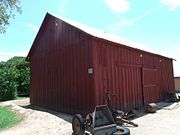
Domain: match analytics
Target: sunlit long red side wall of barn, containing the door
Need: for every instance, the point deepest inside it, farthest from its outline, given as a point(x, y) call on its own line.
point(133, 77)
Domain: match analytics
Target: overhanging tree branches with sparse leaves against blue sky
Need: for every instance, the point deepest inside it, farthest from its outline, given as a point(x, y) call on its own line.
point(8, 8)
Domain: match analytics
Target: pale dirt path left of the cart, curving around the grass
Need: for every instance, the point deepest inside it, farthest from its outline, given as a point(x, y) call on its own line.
point(38, 121)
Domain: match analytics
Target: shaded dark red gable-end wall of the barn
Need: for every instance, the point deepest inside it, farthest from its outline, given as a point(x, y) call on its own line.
point(59, 65)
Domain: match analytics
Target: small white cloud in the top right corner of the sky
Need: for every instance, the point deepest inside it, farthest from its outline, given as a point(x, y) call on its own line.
point(171, 4)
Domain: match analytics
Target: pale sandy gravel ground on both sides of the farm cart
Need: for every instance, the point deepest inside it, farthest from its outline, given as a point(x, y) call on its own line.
point(40, 121)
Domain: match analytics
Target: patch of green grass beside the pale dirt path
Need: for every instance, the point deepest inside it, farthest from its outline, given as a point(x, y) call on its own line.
point(8, 118)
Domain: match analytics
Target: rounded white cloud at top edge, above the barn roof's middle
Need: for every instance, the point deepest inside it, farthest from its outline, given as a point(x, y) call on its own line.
point(119, 6)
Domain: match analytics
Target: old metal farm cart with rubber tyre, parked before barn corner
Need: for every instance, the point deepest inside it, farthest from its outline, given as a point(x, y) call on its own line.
point(100, 122)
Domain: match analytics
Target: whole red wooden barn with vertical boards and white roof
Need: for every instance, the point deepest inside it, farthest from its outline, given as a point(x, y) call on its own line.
point(73, 67)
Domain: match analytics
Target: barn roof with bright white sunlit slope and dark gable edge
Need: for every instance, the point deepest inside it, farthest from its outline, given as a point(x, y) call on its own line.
point(97, 33)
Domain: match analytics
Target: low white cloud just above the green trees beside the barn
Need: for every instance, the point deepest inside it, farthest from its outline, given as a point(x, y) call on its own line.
point(4, 56)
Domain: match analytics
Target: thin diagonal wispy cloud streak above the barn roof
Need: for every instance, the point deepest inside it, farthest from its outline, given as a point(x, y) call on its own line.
point(130, 22)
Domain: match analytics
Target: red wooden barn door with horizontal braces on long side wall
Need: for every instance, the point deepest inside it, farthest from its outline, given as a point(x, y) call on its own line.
point(150, 85)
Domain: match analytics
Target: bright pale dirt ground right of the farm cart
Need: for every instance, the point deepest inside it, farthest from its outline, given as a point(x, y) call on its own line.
point(166, 121)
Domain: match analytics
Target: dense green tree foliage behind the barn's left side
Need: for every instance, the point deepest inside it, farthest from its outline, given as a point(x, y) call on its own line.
point(14, 78)
